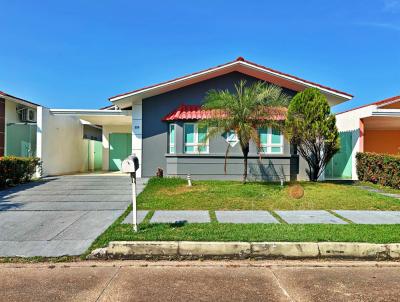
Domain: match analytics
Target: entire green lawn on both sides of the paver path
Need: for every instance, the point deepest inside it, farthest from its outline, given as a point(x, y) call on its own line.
point(214, 195)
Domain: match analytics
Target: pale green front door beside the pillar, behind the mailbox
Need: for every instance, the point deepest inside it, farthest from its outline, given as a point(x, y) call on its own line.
point(120, 148)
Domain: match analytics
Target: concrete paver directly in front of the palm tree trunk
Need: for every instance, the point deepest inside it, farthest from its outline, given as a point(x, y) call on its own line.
point(245, 217)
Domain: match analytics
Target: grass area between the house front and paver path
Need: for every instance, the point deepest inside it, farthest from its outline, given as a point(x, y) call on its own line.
point(174, 194)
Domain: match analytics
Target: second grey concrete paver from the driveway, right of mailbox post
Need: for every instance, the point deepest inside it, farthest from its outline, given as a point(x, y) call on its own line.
point(180, 216)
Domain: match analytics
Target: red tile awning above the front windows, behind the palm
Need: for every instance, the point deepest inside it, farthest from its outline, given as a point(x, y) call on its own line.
point(196, 112)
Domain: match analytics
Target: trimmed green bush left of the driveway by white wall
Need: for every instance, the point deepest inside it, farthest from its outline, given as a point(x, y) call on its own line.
point(15, 170)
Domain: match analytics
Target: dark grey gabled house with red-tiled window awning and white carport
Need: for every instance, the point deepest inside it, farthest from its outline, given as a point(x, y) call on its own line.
point(159, 123)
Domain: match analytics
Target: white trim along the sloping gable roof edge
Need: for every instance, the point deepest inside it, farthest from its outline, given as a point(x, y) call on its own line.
point(287, 77)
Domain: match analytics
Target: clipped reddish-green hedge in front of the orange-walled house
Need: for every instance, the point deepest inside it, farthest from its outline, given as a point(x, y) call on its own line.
point(377, 168)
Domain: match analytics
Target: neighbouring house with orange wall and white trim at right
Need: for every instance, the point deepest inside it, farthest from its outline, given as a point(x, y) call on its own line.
point(370, 128)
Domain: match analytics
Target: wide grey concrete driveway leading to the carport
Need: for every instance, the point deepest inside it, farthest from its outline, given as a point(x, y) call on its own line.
point(61, 215)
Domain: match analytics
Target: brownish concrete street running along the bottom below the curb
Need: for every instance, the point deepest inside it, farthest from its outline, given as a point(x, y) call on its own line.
point(201, 281)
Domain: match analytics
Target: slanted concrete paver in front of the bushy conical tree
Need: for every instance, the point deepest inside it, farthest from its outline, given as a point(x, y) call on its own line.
point(309, 217)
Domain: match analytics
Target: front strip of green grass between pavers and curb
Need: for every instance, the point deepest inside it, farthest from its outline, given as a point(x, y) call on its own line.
point(248, 232)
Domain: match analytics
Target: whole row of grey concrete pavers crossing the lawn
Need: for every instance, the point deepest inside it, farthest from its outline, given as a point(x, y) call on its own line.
point(290, 217)
